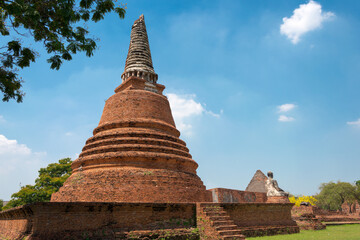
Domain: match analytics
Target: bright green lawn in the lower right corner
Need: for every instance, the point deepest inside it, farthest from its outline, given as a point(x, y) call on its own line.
point(341, 232)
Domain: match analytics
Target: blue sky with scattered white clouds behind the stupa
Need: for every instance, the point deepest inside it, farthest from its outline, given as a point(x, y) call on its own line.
point(270, 85)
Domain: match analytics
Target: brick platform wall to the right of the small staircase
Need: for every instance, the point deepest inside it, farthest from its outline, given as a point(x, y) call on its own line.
point(260, 214)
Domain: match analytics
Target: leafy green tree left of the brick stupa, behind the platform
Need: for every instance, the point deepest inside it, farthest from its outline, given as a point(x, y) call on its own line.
point(49, 181)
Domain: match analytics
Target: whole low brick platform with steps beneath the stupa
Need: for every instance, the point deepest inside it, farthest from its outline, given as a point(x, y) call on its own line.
point(92, 220)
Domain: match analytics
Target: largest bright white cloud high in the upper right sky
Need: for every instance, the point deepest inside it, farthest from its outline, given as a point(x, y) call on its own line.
point(306, 18)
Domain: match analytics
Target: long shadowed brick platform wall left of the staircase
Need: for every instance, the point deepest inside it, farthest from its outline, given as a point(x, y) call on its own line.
point(51, 220)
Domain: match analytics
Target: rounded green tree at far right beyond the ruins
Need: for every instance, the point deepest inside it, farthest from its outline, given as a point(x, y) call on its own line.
point(333, 195)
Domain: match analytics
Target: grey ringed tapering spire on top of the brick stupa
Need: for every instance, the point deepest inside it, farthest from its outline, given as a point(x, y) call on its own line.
point(138, 61)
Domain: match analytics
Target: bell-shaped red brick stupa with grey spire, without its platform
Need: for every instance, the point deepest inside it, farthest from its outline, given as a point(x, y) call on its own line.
point(135, 154)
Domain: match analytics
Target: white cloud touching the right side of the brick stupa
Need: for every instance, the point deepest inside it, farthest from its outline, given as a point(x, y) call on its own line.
point(184, 108)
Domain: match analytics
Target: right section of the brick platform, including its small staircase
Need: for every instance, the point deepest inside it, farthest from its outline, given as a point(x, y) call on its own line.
point(240, 220)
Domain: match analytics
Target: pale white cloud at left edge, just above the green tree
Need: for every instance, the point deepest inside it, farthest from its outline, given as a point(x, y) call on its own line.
point(18, 165)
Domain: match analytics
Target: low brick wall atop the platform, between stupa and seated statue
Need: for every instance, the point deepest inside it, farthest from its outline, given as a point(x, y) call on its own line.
point(224, 195)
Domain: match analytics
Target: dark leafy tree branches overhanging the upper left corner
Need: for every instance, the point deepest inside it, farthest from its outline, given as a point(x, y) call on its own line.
point(57, 24)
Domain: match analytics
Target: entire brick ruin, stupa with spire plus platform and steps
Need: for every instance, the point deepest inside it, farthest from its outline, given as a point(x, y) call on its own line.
point(136, 179)
